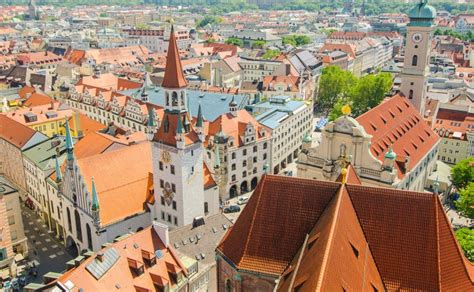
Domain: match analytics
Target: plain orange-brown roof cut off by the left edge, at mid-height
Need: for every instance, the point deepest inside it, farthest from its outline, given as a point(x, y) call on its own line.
point(15, 132)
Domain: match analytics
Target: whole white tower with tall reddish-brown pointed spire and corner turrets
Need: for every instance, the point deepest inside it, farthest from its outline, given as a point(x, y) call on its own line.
point(177, 151)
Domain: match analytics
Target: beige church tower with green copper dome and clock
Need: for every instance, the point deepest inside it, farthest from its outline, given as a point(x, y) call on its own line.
point(417, 54)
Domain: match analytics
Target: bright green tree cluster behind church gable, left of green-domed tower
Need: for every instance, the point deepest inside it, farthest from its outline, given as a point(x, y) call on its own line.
point(338, 87)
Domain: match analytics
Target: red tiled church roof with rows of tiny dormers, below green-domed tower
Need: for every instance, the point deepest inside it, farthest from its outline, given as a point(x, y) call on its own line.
point(396, 123)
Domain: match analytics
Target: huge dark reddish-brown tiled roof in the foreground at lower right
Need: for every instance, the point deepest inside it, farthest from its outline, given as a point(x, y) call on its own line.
point(406, 233)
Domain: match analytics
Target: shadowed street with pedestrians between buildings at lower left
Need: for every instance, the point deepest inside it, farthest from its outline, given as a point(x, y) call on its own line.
point(43, 246)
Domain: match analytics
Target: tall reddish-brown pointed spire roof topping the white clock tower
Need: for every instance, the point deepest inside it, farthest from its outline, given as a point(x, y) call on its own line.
point(174, 77)
